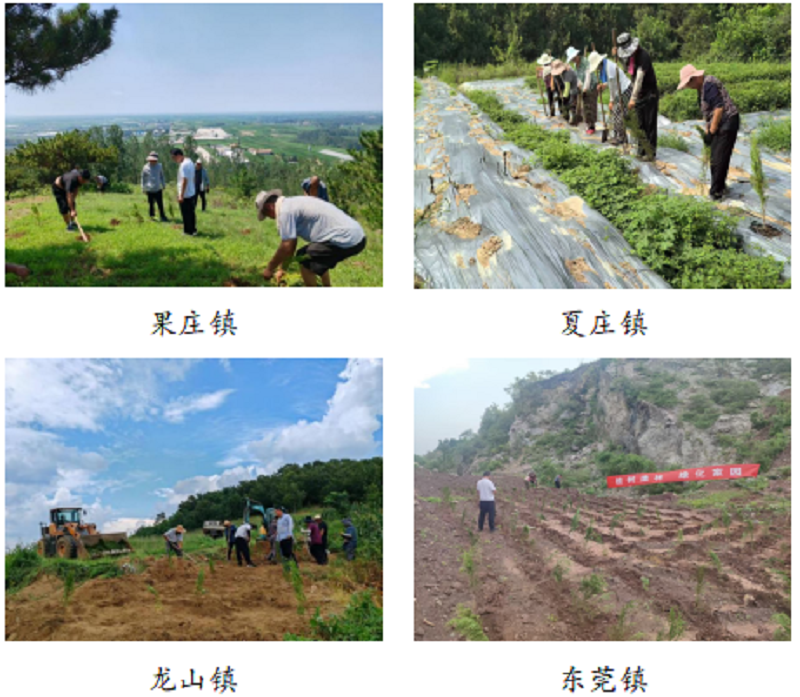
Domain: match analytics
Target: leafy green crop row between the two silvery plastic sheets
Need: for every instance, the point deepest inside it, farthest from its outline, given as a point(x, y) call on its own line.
point(687, 241)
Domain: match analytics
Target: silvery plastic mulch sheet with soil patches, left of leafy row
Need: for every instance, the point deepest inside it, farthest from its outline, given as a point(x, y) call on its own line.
point(486, 219)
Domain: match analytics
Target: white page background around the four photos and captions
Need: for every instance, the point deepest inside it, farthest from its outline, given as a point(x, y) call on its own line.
point(405, 328)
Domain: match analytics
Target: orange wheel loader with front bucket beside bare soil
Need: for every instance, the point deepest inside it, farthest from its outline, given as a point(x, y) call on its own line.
point(68, 537)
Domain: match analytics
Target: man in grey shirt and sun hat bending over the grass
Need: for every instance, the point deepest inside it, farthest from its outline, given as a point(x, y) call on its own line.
point(332, 235)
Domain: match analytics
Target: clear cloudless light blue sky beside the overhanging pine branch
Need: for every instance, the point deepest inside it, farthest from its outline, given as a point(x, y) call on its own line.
point(193, 58)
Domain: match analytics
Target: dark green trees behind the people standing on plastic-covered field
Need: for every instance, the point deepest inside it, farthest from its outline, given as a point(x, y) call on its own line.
point(485, 33)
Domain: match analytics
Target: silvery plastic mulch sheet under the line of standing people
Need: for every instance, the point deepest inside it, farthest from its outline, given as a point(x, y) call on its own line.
point(682, 172)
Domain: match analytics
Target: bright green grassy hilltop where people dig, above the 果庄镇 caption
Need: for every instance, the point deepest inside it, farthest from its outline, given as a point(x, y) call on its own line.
point(232, 245)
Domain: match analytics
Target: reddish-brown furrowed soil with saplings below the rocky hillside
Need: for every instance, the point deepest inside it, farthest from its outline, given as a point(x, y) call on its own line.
point(567, 566)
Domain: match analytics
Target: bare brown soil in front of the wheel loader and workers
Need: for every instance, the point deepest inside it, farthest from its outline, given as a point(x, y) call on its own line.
point(238, 604)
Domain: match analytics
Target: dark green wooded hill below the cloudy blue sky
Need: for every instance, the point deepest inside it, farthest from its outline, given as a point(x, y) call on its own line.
point(336, 484)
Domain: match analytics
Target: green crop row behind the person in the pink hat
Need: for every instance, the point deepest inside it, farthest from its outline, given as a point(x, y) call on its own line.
point(756, 95)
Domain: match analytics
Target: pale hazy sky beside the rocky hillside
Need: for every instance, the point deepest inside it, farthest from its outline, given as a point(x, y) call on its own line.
point(451, 395)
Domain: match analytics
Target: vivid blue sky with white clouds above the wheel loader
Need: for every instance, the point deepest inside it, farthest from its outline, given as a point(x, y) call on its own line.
point(127, 439)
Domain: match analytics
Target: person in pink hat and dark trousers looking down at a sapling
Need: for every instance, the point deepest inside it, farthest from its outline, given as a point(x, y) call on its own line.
point(722, 123)
